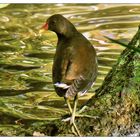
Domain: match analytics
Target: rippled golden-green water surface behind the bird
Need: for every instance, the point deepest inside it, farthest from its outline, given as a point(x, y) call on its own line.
point(26, 56)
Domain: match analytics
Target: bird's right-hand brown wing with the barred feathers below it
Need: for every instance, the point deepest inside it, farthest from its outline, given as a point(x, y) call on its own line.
point(81, 71)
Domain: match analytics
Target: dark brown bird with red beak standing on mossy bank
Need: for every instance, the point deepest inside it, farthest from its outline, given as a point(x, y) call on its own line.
point(75, 65)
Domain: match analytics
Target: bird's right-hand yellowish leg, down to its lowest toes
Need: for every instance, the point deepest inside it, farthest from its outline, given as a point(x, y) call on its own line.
point(73, 117)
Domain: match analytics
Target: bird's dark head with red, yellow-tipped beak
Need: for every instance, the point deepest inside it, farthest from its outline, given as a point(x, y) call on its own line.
point(60, 25)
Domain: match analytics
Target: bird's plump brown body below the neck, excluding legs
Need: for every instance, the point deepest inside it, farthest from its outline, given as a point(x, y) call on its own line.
point(75, 65)
